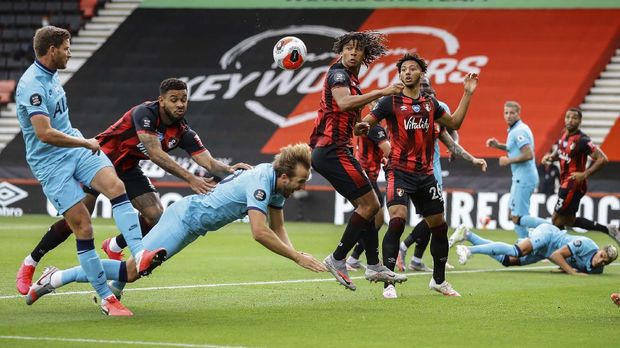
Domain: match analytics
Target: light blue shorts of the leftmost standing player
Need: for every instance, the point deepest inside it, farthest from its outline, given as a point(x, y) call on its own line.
point(61, 183)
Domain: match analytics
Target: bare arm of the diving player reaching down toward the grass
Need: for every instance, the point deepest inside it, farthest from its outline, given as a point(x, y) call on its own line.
point(264, 235)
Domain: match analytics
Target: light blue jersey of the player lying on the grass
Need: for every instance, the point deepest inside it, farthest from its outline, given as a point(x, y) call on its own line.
point(547, 238)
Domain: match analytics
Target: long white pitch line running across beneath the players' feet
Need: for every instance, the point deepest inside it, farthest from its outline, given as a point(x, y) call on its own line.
point(292, 281)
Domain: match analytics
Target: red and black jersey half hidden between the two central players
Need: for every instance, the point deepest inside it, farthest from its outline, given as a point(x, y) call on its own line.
point(368, 152)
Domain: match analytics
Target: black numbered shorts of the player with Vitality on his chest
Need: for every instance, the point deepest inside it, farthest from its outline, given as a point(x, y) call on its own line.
point(423, 190)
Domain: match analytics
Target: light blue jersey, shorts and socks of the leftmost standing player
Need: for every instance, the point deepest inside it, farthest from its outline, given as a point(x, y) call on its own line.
point(61, 170)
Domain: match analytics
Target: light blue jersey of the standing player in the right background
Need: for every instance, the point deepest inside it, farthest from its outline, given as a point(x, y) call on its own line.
point(519, 135)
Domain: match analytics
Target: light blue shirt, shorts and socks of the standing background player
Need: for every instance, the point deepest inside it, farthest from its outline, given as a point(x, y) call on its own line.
point(524, 178)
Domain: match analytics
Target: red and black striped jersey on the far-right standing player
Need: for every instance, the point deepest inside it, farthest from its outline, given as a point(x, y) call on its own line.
point(573, 151)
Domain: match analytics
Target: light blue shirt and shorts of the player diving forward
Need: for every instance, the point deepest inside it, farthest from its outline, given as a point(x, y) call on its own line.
point(231, 199)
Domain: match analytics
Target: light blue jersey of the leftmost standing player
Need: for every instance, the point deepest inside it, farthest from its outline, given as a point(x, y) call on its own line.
point(39, 91)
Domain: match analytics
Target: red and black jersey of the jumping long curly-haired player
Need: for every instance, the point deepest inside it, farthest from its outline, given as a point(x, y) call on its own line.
point(333, 126)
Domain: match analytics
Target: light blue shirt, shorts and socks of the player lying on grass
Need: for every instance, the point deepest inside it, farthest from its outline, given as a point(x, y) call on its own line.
point(546, 239)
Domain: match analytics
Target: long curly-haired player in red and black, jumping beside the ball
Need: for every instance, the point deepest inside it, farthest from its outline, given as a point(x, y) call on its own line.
point(332, 155)
